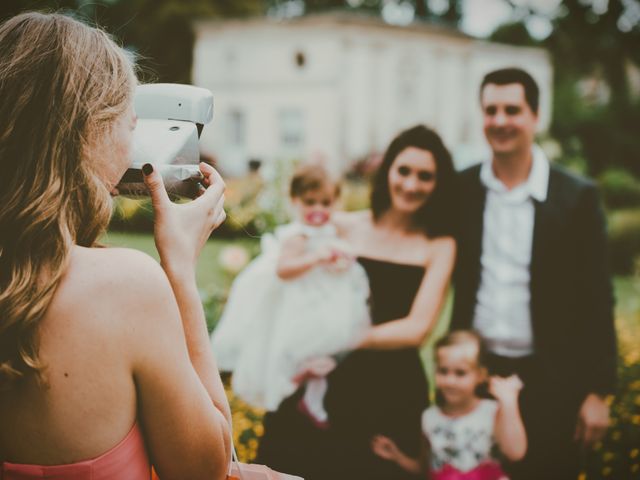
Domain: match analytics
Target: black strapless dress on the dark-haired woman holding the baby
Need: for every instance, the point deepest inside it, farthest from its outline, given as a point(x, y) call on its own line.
point(370, 392)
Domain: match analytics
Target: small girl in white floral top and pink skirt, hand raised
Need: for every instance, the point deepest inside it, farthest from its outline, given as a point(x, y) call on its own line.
point(461, 433)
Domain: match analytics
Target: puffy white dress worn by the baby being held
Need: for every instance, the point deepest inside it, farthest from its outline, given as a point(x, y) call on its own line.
point(270, 326)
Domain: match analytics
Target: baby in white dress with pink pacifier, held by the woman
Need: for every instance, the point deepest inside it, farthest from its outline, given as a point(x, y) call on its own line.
point(299, 302)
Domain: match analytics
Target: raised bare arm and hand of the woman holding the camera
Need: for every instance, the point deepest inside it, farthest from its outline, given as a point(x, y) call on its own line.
point(182, 403)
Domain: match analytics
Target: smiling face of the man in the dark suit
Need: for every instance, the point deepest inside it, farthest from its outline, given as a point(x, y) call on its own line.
point(509, 123)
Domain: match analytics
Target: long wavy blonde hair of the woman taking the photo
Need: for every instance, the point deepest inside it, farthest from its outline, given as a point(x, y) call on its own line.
point(62, 85)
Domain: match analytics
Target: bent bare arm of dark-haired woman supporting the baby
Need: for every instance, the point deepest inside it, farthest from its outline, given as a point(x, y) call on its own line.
point(411, 330)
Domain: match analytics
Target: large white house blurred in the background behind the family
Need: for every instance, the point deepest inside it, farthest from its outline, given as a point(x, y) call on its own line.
point(340, 86)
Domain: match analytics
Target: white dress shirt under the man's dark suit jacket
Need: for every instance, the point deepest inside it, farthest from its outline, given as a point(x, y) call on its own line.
point(503, 314)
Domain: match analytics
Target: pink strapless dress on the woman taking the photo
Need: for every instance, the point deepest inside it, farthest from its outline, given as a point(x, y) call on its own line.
point(127, 460)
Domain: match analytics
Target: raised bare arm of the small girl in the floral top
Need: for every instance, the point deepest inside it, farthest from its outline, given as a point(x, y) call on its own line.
point(509, 430)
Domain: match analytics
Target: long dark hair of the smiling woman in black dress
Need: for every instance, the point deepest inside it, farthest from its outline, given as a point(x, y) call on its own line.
point(436, 216)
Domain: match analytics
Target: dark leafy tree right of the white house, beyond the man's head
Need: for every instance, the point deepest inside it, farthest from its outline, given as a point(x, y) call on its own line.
point(595, 113)
